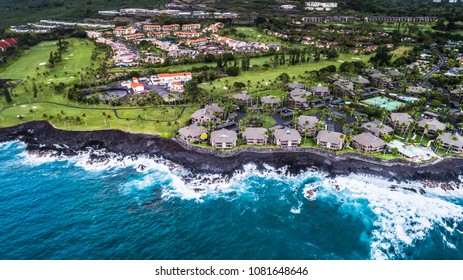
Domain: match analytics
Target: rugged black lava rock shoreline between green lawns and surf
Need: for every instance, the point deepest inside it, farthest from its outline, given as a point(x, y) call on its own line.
point(41, 137)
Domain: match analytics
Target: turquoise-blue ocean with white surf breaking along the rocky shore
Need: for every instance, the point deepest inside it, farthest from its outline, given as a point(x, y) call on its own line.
point(125, 208)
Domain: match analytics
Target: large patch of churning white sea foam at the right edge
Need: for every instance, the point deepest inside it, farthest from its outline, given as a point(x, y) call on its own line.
point(403, 217)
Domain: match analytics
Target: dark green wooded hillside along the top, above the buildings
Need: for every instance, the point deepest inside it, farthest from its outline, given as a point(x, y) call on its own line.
point(18, 12)
